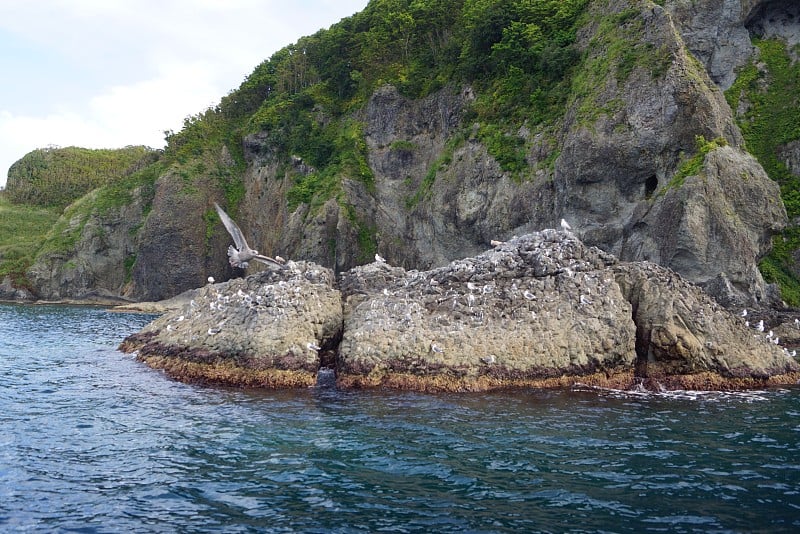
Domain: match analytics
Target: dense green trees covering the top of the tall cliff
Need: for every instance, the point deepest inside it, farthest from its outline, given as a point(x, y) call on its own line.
point(517, 54)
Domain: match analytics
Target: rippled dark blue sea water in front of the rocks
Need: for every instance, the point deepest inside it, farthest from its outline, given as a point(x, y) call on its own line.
point(93, 441)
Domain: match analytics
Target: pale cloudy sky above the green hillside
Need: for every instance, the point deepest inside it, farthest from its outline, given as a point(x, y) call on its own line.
point(113, 73)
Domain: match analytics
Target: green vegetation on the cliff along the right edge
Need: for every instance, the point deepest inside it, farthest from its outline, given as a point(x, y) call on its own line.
point(772, 119)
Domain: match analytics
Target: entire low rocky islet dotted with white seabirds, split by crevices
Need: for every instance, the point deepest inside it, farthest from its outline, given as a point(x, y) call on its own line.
point(540, 310)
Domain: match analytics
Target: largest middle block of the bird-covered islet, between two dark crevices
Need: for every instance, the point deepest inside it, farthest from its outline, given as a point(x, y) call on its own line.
point(536, 308)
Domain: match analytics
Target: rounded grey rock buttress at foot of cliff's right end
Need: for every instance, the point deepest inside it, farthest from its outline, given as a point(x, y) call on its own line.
point(704, 228)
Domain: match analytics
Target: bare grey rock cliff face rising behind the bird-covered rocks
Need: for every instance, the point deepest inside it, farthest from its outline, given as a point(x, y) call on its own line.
point(646, 163)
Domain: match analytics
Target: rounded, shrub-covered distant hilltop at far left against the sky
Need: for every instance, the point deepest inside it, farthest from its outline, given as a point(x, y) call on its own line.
point(55, 177)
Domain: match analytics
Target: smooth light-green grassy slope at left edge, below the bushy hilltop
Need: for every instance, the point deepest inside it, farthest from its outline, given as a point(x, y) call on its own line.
point(22, 232)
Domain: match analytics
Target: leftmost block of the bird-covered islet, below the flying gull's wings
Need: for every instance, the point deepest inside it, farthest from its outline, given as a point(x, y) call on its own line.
point(266, 330)
